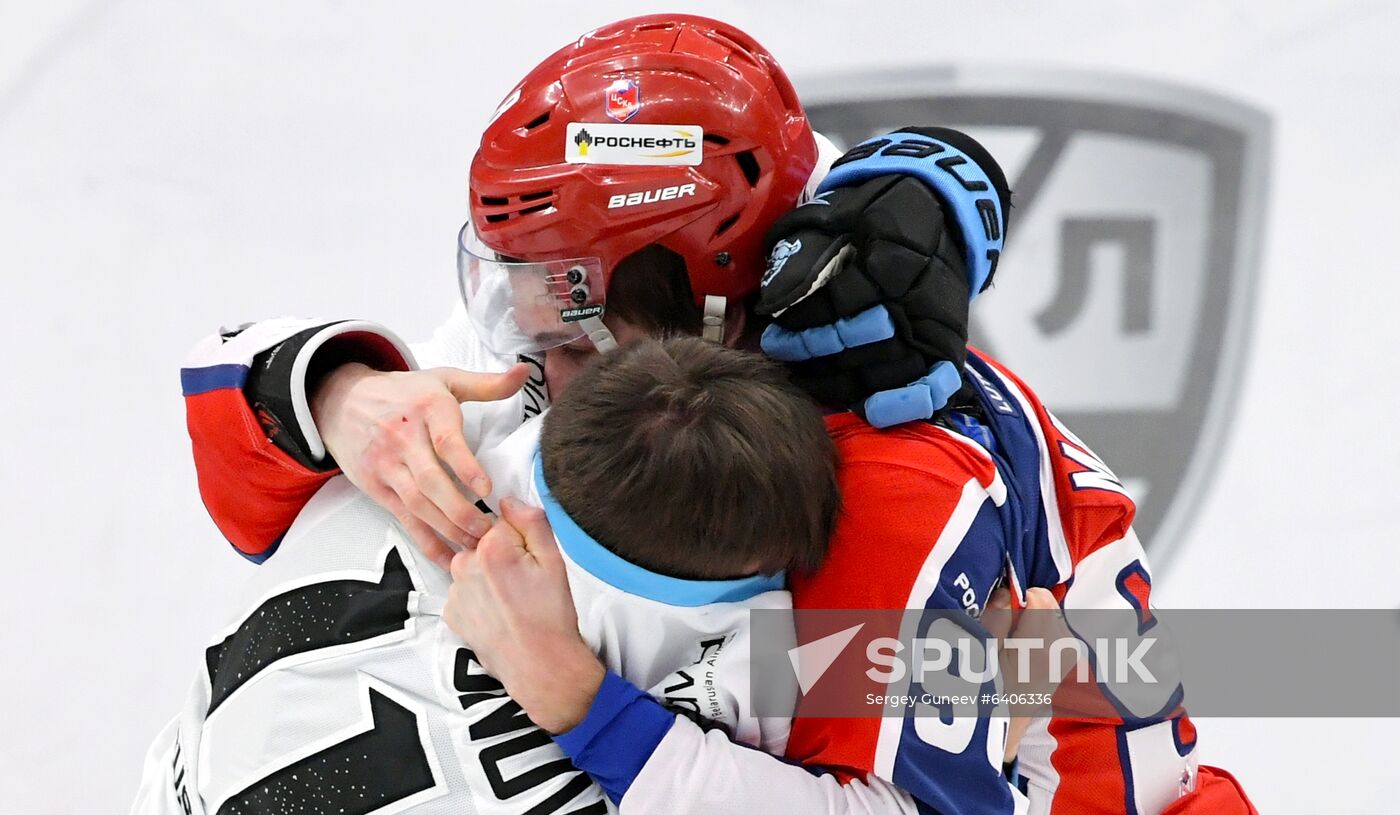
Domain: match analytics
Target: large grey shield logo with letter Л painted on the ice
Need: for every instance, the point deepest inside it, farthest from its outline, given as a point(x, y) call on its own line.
point(1129, 279)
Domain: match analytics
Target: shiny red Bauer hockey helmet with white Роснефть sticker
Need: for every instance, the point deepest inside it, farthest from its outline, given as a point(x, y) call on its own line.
point(664, 130)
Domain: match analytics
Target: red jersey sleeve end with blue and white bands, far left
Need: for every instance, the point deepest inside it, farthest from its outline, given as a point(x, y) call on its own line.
point(253, 488)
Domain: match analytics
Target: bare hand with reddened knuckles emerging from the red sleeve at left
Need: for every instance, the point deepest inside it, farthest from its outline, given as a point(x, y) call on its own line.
point(398, 436)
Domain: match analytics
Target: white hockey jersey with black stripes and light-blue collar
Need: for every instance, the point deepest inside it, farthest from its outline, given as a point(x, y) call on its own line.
point(339, 690)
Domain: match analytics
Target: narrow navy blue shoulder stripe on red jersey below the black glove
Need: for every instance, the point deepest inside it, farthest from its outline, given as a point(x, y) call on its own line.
point(1017, 457)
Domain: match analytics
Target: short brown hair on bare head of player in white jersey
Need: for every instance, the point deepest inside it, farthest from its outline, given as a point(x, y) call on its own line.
point(694, 460)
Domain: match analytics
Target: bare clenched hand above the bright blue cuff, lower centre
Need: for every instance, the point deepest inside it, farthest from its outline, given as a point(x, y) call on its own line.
point(510, 601)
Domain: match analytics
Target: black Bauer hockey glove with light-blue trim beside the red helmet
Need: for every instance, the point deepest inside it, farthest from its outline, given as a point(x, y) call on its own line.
point(870, 282)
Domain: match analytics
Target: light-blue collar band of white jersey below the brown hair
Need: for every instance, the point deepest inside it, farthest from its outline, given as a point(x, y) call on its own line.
point(617, 572)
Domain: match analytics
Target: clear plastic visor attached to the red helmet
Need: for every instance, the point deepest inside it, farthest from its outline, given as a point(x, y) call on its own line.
point(527, 307)
